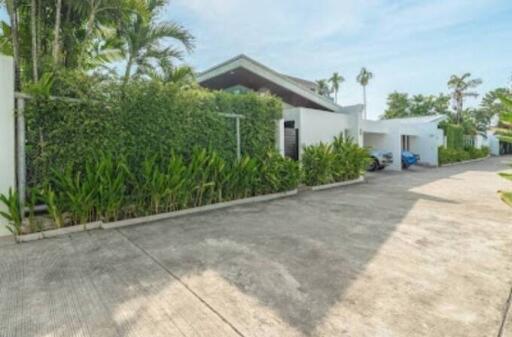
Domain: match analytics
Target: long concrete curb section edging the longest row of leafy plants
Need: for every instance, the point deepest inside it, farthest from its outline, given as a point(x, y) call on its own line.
point(197, 210)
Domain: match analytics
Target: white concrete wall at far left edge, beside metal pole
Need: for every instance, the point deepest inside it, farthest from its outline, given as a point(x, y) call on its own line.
point(7, 143)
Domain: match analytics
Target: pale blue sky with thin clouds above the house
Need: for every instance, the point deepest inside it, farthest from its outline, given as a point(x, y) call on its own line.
point(410, 45)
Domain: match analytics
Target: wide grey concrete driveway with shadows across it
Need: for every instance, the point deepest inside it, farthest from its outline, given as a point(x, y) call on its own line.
point(421, 253)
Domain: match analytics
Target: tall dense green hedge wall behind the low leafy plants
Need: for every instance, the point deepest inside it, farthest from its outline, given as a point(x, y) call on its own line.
point(145, 119)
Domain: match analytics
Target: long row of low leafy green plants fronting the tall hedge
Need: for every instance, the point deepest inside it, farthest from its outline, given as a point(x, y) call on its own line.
point(106, 189)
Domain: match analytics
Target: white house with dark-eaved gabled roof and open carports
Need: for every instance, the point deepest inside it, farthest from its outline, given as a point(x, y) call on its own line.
point(310, 118)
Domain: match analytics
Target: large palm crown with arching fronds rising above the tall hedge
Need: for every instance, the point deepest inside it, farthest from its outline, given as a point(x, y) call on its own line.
point(142, 38)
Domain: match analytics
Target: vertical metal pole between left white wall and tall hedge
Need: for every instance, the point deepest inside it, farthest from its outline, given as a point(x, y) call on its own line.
point(20, 152)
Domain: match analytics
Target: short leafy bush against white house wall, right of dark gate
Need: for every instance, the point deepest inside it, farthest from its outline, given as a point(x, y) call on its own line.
point(328, 163)
